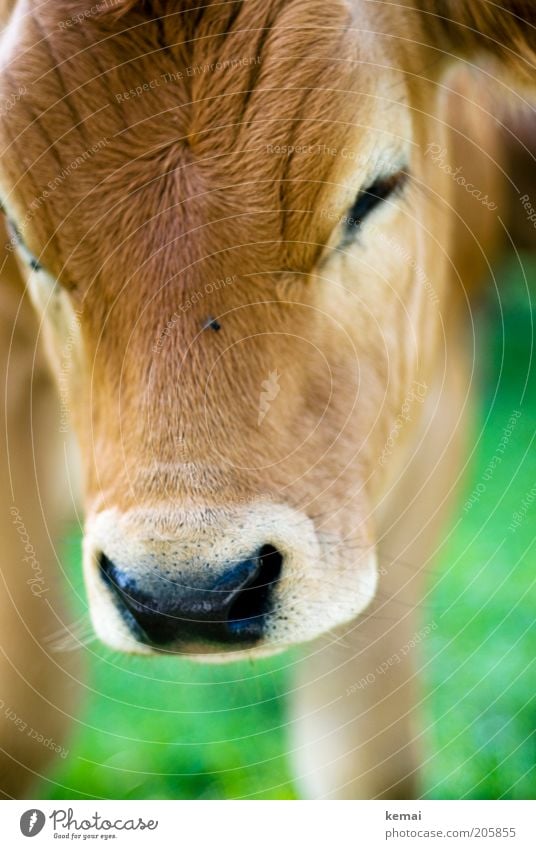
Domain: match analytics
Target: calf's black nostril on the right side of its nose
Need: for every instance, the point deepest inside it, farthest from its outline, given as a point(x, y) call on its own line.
point(249, 606)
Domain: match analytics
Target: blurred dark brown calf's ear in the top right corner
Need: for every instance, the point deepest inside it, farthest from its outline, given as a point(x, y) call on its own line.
point(470, 28)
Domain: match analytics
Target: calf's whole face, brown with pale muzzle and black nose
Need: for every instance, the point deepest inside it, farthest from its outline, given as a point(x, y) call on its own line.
point(229, 227)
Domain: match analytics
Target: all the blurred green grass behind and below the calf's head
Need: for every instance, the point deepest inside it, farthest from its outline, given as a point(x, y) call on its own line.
point(159, 729)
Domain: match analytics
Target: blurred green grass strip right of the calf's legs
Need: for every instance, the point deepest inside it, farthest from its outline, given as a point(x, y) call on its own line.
point(481, 699)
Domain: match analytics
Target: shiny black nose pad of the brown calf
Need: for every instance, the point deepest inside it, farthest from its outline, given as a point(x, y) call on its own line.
point(231, 610)
